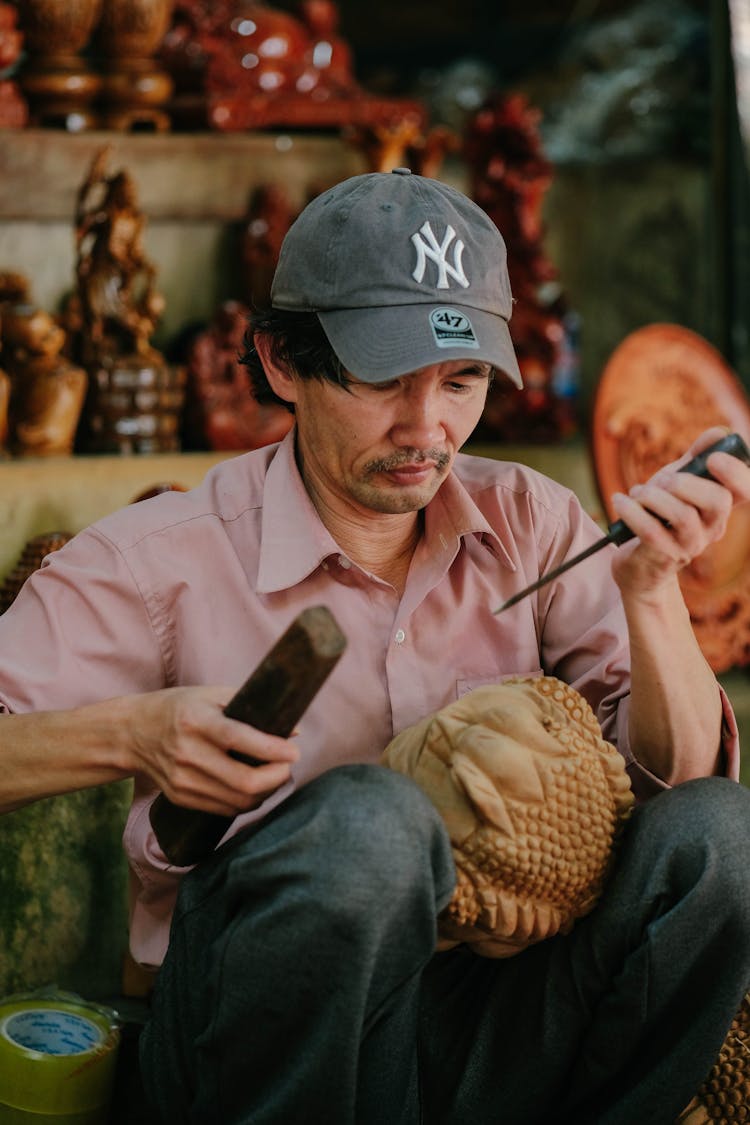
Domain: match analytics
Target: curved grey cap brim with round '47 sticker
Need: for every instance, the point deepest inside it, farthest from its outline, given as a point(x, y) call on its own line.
point(378, 345)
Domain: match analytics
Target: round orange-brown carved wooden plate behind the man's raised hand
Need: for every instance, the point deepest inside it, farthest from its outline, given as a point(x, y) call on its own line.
point(662, 388)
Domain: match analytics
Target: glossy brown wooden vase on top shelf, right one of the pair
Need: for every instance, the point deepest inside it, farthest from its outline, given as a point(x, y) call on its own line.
point(135, 89)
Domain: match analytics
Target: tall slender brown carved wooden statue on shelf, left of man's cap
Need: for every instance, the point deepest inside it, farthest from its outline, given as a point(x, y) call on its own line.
point(135, 397)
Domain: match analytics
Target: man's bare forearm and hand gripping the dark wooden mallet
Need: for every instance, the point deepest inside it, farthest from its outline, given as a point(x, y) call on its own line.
point(178, 736)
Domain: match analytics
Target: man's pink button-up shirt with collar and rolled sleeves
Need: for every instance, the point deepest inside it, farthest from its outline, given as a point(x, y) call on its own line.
point(195, 588)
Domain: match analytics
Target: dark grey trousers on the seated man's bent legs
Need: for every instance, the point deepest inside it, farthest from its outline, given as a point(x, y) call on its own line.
point(302, 986)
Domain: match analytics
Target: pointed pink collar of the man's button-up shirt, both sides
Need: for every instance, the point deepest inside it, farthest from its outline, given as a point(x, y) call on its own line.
point(295, 542)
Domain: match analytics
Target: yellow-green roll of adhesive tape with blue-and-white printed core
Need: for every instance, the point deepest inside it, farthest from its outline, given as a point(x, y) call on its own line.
point(58, 1058)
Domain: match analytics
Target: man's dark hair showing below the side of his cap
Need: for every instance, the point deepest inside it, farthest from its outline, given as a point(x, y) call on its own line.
point(299, 343)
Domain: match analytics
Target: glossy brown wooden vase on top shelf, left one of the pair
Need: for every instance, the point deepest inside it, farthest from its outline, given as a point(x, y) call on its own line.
point(58, 83)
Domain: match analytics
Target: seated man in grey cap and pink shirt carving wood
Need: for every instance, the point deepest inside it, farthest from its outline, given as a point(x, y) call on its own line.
point(299, 982)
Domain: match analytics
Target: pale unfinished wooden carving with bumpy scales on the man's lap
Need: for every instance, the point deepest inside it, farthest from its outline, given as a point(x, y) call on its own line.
point(534, 799)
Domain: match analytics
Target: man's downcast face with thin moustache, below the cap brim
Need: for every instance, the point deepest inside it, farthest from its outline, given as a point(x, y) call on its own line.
point(387, 448)
